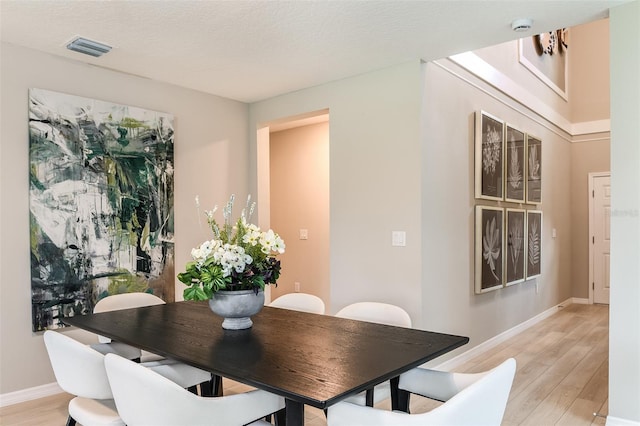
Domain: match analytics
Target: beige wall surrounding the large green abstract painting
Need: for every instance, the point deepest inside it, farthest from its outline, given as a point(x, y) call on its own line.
point(211, 159)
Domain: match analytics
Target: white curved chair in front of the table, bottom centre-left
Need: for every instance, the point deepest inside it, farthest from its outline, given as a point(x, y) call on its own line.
point(144, 398)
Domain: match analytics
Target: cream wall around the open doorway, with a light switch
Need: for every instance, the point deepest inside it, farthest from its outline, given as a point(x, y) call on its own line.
point(374, 181)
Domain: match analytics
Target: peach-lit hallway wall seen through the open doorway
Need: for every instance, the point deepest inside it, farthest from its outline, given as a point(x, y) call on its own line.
point(299, 180)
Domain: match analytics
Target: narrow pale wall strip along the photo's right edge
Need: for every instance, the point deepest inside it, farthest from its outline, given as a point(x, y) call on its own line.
point(624, 326)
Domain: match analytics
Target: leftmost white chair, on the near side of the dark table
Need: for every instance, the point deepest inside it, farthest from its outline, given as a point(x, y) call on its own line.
point(79, 370)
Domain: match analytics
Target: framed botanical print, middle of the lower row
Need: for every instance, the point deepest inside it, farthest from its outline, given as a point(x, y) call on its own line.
point(515, 235)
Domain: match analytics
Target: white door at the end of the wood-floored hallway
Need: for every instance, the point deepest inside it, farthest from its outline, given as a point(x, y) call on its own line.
point(600, 237)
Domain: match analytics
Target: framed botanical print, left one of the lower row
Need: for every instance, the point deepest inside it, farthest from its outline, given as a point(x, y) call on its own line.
point(489, 265)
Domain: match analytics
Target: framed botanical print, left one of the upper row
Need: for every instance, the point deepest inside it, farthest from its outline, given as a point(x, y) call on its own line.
point(489, 156)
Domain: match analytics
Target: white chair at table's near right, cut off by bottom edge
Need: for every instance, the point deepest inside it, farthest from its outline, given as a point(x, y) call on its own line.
point(479, 401)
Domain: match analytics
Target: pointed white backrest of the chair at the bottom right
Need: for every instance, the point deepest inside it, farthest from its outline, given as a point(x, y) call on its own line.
point(481, 403)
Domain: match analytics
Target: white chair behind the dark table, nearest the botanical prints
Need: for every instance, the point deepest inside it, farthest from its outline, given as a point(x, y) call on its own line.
point(381, 313)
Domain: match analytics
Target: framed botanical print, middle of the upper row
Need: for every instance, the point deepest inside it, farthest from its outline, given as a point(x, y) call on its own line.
point(514, 170)
